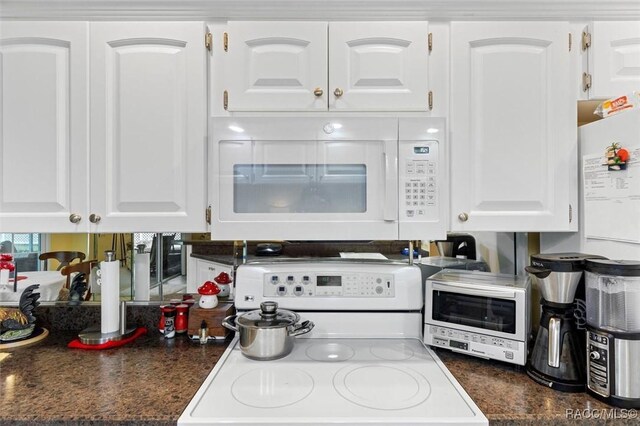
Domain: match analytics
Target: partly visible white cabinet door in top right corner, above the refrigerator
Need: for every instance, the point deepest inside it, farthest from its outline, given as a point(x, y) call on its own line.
point(614, 59)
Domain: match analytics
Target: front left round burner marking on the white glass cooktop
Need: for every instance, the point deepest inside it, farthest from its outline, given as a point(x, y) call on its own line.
point(272, 387)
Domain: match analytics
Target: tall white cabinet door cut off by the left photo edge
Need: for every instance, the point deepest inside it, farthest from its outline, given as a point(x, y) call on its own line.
point(43, 126)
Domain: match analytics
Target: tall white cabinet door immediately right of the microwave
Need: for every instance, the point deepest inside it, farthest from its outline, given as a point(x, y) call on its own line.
point(514, 149)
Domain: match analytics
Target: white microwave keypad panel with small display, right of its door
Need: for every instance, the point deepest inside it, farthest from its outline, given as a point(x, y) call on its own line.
point(418, 180)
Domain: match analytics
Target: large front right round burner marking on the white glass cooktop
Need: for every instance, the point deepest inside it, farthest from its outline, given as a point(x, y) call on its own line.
point(382, 387)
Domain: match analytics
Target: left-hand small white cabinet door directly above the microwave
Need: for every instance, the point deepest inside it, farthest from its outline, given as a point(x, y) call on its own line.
point(276, 66)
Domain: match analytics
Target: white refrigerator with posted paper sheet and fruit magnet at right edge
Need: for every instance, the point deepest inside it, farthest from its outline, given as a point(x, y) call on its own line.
point(609, 210)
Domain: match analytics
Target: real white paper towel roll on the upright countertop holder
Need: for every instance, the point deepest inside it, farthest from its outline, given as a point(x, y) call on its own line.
point(110, 297)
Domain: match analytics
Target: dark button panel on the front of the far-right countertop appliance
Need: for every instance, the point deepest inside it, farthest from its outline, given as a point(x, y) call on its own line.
point(598, 377)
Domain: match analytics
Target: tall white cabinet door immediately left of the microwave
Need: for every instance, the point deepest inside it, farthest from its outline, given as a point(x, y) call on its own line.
point(148, 126)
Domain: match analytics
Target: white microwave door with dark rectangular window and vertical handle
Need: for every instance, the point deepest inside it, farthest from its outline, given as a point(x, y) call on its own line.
point(294, 189)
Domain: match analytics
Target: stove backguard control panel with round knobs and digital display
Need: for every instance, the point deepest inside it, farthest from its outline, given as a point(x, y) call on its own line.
point(321, 284)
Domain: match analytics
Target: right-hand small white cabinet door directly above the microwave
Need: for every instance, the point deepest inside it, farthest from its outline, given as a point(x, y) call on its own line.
point(378, 66)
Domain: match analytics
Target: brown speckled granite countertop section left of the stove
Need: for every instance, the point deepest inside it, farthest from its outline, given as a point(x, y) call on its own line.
point(148, 381)
